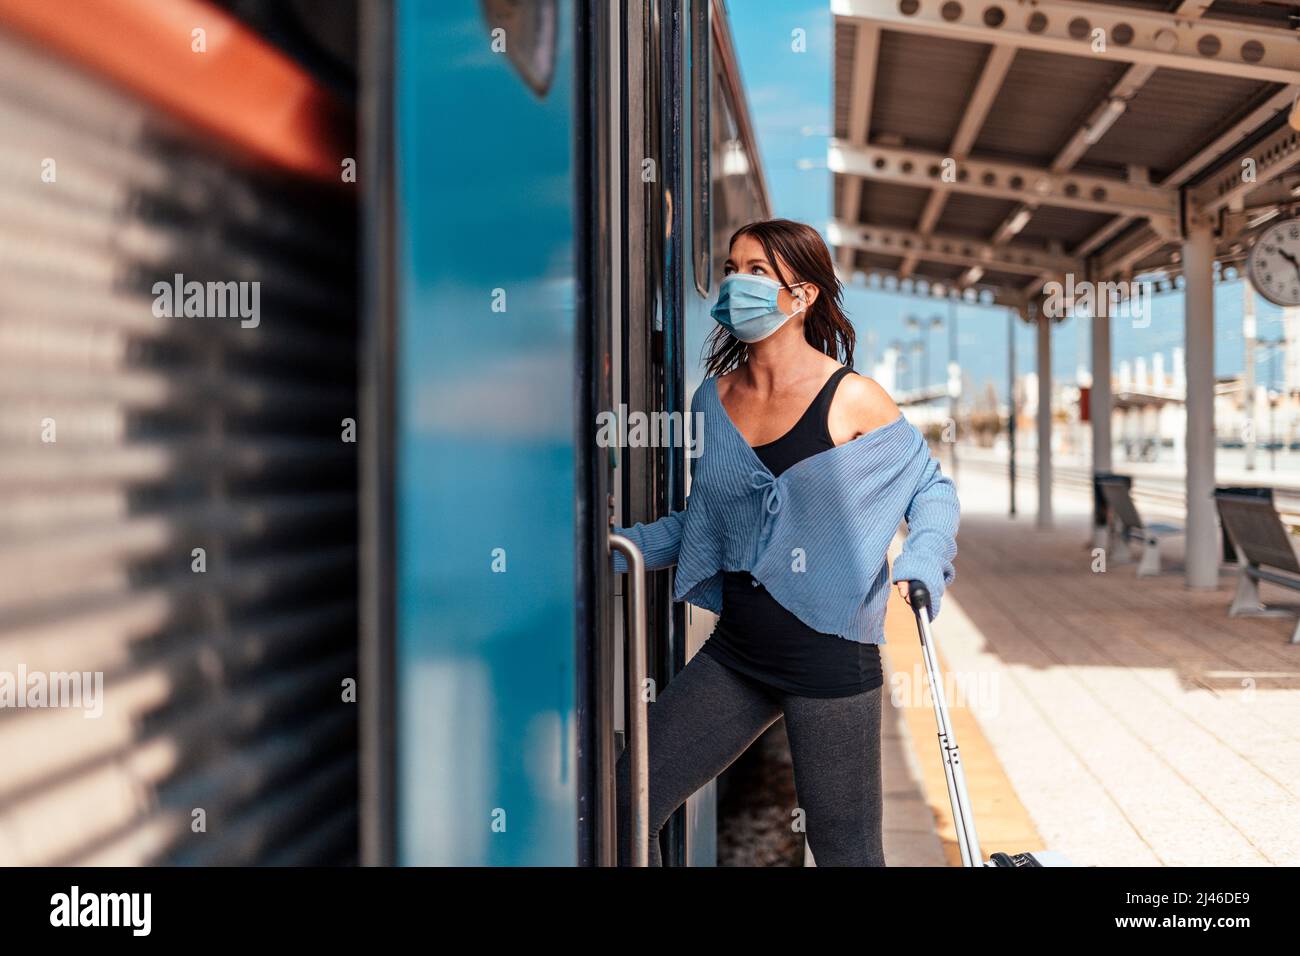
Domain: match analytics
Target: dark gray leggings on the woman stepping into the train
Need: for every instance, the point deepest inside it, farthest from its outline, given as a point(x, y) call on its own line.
point(707, 717)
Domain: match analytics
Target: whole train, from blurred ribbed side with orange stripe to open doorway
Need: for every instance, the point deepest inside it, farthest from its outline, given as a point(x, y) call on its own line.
point(340, 555)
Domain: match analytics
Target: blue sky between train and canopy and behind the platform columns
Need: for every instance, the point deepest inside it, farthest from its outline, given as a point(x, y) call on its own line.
point(791, 102)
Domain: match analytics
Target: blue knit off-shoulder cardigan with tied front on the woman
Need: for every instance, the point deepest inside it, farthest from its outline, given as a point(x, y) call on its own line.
point(817, 537)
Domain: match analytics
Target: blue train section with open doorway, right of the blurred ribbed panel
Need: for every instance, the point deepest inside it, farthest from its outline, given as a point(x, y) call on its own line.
point(551, 192)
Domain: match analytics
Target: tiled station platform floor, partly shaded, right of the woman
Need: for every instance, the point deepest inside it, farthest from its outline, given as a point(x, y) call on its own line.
point(1117, 720)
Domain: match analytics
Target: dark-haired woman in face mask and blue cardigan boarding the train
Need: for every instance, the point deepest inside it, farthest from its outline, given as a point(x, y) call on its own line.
point(805, 474)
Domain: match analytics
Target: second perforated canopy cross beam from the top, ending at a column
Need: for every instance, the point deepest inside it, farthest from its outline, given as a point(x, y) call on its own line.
point(1002, 180)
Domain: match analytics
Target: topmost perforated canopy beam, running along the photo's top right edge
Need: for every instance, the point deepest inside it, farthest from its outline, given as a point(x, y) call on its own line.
point(1128, 34)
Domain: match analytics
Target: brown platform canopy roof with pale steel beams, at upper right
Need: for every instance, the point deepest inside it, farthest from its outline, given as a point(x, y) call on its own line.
point(999, 145)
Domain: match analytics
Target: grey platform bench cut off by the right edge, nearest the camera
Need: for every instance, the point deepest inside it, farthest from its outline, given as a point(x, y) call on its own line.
point(1264, 553)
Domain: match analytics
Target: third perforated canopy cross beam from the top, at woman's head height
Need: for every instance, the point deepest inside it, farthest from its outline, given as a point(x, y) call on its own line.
point(951, 250)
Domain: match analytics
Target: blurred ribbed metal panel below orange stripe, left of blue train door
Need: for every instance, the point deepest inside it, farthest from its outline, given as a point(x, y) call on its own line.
point(223, 690)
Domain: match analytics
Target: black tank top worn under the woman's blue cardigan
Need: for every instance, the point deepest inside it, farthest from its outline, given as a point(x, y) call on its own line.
point(757, 635)
